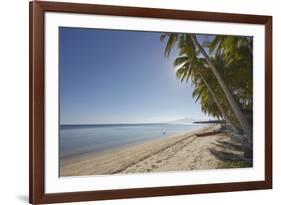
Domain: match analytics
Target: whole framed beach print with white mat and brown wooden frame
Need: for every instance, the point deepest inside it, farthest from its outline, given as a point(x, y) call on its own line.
point(139, 102)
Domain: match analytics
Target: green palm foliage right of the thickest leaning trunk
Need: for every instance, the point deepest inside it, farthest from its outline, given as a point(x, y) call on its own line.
point(236, 68)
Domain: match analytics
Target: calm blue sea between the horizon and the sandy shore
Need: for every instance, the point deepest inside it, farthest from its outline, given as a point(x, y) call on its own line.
point(80, 139)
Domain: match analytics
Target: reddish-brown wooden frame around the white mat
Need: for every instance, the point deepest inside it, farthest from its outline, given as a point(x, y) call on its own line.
point(37, 193)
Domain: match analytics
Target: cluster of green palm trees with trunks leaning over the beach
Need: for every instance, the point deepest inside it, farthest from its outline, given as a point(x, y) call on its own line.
point(220, 69)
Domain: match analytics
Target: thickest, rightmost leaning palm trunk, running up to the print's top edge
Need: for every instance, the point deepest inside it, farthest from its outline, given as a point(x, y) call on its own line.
point(235, 108)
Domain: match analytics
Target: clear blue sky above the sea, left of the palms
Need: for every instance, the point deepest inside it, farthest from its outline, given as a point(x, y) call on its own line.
point(109, 76)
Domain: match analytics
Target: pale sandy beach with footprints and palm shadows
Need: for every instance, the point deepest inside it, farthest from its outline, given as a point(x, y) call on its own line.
point(204, 148)
